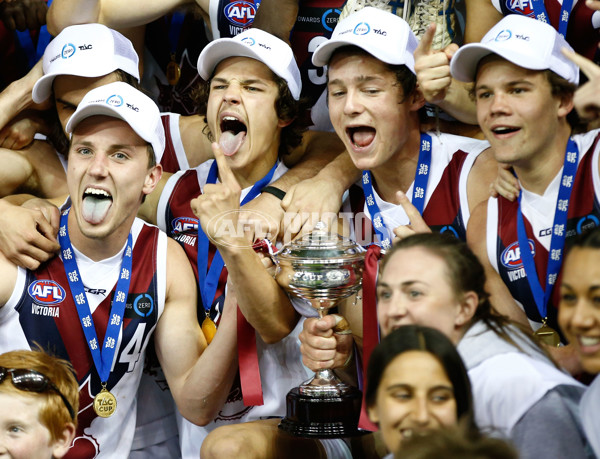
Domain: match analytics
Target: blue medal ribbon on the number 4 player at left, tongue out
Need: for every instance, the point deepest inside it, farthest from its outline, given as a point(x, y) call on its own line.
point(102, 359)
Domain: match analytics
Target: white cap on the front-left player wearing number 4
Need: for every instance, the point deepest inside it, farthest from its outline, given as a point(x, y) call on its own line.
point(121, 100)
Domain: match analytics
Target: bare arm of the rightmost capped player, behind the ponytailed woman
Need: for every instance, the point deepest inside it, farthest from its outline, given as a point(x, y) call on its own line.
point(501, 298)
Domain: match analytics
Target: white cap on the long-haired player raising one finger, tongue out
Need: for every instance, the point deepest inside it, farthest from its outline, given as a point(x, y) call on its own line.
point(256, 44)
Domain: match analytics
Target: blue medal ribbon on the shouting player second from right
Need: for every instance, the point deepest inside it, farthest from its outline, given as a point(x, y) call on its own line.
point(418, 197)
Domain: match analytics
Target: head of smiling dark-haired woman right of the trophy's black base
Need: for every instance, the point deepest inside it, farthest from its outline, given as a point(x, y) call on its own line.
point(417, 382)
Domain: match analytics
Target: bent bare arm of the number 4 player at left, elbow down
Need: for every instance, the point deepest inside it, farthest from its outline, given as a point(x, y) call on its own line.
point(200, 377)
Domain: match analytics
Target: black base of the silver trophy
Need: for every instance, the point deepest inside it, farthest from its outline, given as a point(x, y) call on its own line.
point(322, 417)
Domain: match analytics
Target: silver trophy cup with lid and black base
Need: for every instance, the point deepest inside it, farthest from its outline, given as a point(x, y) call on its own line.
point(322, 268)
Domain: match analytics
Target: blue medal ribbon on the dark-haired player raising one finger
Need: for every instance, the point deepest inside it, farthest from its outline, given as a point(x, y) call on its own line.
point(208, 281)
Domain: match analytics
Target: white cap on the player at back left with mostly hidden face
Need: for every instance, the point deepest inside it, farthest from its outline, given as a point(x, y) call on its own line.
point(86, 50)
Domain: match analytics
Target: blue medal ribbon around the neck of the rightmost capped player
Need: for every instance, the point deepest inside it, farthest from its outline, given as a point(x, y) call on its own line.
point(559, 231)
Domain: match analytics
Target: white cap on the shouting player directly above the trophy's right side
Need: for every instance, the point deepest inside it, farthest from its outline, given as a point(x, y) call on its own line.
point(380, 33)
